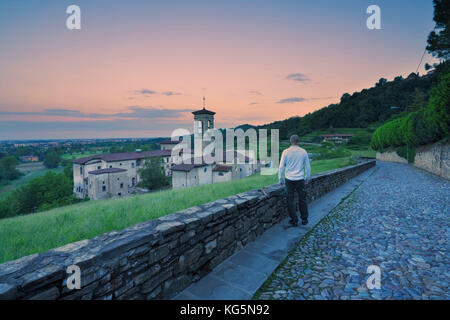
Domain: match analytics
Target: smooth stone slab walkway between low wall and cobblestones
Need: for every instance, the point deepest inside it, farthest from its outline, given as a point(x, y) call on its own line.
point(241, 275)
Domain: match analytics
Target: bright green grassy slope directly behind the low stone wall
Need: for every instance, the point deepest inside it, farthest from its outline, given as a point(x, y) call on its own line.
point(28, 234)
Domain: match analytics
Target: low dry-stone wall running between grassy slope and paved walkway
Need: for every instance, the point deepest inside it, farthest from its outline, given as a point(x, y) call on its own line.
point(158, 258)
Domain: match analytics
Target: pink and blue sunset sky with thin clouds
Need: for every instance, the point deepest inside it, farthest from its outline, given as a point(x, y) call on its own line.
point(139, 68)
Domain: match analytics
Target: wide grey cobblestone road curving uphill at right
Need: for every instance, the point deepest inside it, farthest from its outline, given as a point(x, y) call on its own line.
point(398, 219)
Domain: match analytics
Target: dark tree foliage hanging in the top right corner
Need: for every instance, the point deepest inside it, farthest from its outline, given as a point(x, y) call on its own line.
point(439, 38)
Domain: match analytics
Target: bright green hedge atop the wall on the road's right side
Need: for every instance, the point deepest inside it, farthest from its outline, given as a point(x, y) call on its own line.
point(426, 125)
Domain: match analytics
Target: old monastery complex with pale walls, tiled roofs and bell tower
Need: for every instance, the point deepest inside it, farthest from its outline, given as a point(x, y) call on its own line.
point(117, 174)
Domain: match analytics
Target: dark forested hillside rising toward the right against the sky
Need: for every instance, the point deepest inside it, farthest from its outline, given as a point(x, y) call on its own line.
point(385, 100)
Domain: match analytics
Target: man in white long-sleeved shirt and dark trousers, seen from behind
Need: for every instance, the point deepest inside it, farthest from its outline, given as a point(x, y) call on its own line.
point(295, 163)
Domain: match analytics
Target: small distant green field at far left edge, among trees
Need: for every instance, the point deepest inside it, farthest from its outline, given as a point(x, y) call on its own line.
point(30, 171)
